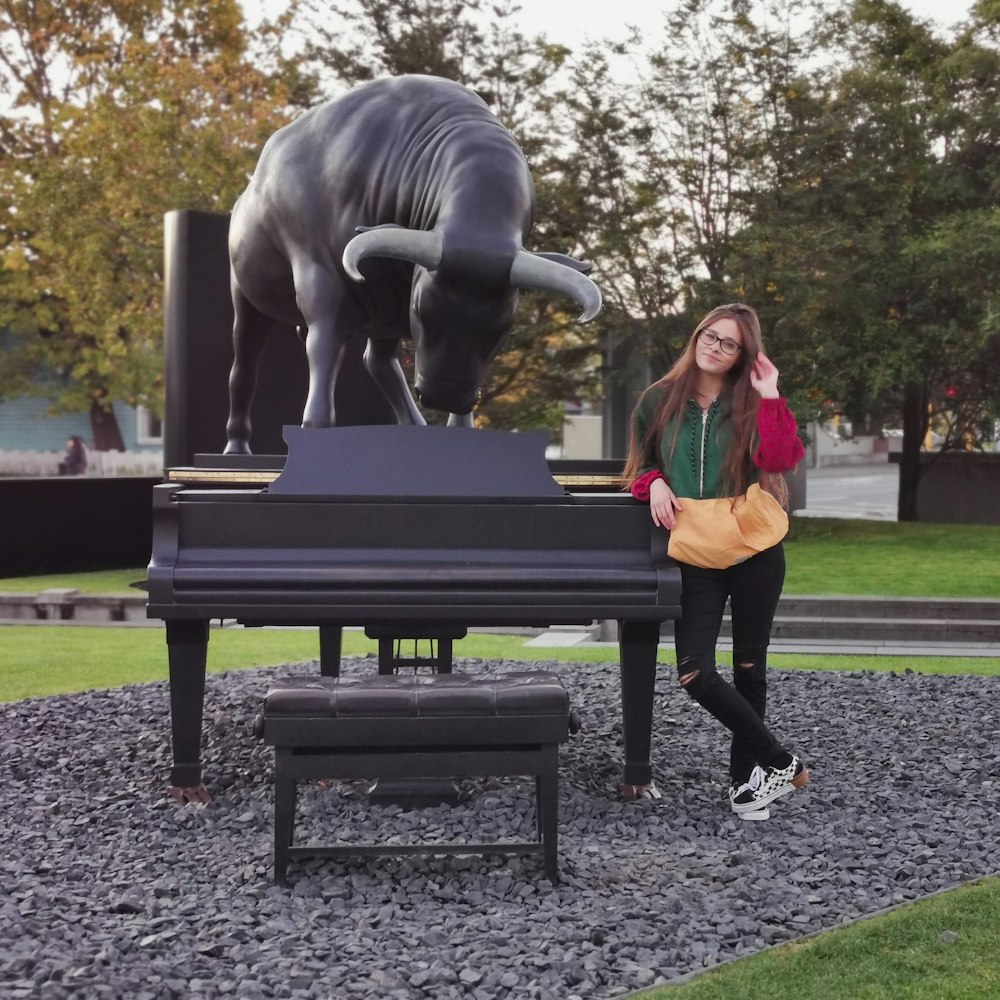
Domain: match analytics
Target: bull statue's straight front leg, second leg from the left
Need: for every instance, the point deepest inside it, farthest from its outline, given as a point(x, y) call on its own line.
point(319, 298)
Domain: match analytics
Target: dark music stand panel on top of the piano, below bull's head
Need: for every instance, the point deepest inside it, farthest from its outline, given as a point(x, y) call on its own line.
point(386, 461)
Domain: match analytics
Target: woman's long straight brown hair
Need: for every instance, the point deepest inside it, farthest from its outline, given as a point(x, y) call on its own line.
point(678, 387)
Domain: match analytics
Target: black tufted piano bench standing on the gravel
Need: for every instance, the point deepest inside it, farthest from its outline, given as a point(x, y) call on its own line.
point(422, 725)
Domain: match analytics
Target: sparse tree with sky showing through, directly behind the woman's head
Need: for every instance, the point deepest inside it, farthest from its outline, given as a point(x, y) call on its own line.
point(667, 165)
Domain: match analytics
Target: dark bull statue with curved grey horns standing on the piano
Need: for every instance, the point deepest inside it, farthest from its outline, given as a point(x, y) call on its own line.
point(397, 210)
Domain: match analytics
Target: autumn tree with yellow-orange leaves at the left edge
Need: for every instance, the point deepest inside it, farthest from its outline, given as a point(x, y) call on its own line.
point(118, 112)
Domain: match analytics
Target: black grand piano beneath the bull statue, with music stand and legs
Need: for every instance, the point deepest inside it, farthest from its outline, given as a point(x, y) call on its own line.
point(410, 532)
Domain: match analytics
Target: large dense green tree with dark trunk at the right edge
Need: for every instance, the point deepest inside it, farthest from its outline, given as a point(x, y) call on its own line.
point(879, 237)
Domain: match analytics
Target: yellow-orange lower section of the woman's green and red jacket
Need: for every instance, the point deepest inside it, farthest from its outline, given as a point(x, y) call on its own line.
point(716, 534)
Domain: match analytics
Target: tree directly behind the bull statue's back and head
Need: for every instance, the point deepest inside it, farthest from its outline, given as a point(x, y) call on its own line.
point(546, 359)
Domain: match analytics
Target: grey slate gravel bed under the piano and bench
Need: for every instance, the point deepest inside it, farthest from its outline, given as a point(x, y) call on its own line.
point(109, 889)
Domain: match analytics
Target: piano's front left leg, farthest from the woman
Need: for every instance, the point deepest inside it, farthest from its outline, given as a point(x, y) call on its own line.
point(187, 652)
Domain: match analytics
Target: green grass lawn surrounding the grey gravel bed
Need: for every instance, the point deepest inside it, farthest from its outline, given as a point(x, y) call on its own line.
point(944, 948)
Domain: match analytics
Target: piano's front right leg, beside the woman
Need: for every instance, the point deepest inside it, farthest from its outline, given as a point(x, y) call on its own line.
point(637, 649)
